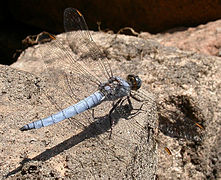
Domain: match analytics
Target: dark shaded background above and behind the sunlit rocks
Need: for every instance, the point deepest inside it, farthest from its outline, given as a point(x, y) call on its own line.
point(20, 18)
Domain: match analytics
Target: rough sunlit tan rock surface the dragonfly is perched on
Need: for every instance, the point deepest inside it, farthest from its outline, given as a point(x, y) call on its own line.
point(187, 90)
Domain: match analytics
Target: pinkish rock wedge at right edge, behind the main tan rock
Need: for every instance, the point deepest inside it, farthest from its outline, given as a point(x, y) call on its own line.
point(204, 39)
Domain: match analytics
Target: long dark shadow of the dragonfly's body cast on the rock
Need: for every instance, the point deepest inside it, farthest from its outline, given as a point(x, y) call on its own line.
point(99, 126)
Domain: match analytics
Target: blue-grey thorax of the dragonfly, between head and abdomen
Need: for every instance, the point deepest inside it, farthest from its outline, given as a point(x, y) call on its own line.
point(115, 88)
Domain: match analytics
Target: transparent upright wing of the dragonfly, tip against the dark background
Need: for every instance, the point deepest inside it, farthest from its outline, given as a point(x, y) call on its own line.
point(77, 29)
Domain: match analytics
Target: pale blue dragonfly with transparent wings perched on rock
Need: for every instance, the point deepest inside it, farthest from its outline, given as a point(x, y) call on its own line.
point(109, 87)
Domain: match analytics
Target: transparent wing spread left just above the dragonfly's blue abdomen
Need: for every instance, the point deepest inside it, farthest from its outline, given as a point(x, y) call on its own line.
point(67, 81)
